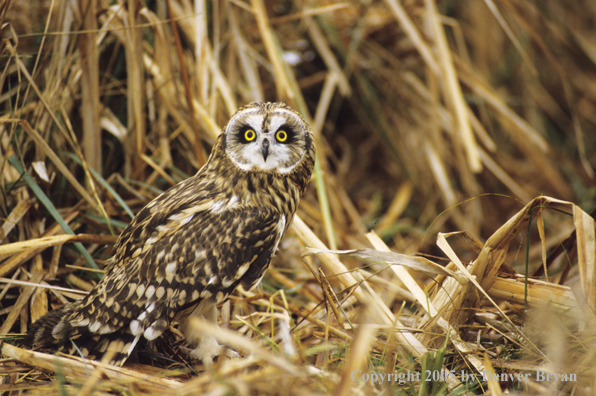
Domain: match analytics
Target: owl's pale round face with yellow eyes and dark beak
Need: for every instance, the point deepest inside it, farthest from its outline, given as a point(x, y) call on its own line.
point(267, 137)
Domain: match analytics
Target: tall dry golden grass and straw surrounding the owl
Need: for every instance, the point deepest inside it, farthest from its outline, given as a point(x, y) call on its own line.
point(461, 131)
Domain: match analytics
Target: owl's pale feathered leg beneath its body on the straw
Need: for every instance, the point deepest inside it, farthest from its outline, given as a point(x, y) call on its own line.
point(205, 346)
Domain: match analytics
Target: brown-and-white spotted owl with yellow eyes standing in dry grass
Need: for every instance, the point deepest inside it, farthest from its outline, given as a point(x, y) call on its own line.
point(189, 248)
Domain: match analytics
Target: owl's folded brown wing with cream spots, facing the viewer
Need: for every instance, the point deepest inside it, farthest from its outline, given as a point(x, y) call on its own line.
point(194, 255)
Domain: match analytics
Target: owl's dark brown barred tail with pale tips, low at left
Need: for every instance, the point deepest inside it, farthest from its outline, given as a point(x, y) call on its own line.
point(54, 331)
